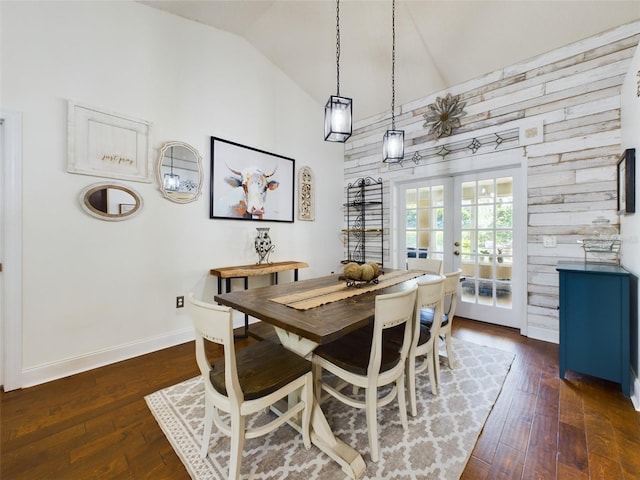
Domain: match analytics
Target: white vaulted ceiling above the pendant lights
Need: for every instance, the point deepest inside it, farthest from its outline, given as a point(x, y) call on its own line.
point(438, 43)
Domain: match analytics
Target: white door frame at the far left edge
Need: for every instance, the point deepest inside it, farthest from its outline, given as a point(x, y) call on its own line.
point(11, 255)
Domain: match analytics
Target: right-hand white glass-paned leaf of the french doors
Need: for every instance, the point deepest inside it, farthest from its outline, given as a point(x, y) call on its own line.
point(486, 243)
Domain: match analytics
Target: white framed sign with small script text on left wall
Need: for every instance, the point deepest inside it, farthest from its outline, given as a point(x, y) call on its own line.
point(106, 144)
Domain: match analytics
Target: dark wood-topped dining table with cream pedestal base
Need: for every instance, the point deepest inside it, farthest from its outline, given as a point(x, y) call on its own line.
point(302, 330)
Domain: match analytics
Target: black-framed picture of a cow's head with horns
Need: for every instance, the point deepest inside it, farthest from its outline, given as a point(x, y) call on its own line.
point(250, 184)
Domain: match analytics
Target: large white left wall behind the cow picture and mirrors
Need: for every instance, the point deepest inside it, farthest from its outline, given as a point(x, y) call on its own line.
point(96, 291)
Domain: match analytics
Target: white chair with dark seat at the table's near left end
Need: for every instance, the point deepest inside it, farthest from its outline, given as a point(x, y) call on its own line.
point(246, 382)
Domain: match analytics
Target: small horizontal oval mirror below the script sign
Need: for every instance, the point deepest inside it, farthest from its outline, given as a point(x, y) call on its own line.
point(110, 201)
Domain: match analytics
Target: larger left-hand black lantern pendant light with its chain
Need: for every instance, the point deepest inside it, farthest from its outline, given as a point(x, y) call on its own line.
point(338, 110)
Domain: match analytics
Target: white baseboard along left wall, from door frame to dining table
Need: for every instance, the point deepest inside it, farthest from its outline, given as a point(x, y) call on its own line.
point(52, 371)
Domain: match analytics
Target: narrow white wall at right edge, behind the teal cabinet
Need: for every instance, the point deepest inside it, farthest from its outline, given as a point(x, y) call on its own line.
point(630, 224)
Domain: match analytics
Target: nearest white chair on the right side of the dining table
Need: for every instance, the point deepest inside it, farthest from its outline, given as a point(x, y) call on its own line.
point(360, 359)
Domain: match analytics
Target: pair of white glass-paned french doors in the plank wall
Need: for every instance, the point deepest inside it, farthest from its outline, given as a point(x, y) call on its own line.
point(472, 222)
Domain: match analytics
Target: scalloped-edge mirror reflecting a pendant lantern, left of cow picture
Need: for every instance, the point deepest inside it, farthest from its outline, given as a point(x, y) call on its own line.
point(180, 172)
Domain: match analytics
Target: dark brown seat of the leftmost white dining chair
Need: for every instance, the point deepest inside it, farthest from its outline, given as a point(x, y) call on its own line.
point(263, 368)
